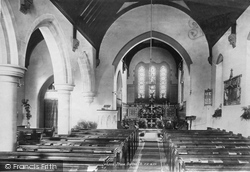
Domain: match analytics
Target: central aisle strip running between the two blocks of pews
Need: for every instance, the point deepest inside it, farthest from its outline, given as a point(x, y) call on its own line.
point(150, 155)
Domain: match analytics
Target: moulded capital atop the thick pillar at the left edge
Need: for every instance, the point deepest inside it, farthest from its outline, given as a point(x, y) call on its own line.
point(12, 70)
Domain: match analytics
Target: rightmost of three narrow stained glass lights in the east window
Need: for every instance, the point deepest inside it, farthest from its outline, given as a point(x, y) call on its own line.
point(163, 82)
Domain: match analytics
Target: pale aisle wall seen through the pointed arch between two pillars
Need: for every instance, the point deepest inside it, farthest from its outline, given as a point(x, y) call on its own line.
point(39, 70)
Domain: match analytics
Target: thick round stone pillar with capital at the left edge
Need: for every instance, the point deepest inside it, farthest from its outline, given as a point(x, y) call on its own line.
point(9, 78)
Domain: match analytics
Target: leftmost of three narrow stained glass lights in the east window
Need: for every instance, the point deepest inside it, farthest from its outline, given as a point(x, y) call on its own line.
point(141, 82)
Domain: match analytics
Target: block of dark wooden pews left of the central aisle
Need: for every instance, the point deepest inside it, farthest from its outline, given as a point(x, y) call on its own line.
point(81, 150)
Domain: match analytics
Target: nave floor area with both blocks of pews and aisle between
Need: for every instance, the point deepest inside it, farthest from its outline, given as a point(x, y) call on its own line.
point(125, 150)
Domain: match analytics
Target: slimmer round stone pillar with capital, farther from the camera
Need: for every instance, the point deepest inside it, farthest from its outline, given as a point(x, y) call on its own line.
point(63, 91)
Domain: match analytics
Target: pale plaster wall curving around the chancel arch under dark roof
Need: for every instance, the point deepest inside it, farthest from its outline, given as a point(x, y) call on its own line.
point(177, 26)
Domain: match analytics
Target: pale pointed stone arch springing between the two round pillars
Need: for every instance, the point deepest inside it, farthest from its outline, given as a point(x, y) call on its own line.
point(55, 40)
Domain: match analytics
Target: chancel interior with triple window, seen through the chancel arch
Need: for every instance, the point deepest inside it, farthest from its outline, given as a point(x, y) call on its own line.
point(152, 78)
